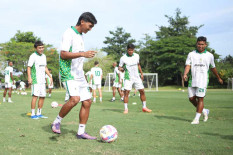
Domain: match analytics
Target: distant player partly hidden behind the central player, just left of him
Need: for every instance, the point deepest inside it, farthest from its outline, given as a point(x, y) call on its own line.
point(117, 83)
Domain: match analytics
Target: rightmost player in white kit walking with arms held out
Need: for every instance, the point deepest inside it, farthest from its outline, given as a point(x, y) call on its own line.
point(199, 62)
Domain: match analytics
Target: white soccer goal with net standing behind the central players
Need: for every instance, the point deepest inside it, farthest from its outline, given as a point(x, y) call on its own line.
point(150, 81)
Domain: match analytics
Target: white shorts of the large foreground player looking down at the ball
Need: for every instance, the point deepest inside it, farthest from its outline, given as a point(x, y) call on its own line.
point(78, 88)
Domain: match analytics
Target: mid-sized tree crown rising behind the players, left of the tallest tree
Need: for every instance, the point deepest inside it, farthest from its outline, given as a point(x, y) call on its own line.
point(117, 43)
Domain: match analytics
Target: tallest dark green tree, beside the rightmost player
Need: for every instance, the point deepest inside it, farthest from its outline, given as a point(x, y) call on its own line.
point(172, 47)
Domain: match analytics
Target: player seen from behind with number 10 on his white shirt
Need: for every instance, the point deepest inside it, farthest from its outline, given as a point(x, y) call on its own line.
point(96, 78)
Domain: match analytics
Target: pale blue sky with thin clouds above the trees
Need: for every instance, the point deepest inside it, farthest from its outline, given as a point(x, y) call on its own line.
point(48, 19)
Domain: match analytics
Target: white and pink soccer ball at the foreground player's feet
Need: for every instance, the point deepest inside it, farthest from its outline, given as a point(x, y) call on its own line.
point(108, 133)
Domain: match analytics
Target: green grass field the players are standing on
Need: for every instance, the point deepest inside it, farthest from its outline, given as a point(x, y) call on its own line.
point(167, 130)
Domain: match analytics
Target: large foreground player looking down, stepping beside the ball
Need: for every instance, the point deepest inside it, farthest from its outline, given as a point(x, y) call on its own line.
point(72, 56)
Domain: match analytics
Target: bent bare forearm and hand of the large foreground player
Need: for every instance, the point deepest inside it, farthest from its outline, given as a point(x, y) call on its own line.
point(70, 55)
